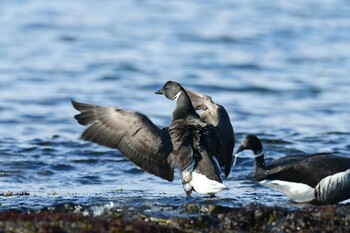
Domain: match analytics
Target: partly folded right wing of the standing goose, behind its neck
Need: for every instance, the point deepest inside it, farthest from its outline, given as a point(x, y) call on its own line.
point(216, 115)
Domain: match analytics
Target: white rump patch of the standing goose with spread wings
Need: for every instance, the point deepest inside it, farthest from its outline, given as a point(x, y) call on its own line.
point(201, 184)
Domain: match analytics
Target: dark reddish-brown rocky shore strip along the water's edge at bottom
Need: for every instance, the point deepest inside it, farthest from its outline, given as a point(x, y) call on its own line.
point(192, 218)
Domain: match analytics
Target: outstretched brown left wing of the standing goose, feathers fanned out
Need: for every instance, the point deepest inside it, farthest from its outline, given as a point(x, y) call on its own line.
point(132, 133)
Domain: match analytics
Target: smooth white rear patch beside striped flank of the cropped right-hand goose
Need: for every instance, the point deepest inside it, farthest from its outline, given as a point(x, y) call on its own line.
point(299, 192)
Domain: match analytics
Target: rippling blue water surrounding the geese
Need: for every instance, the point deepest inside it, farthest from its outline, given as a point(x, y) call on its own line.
point(280, 68)
